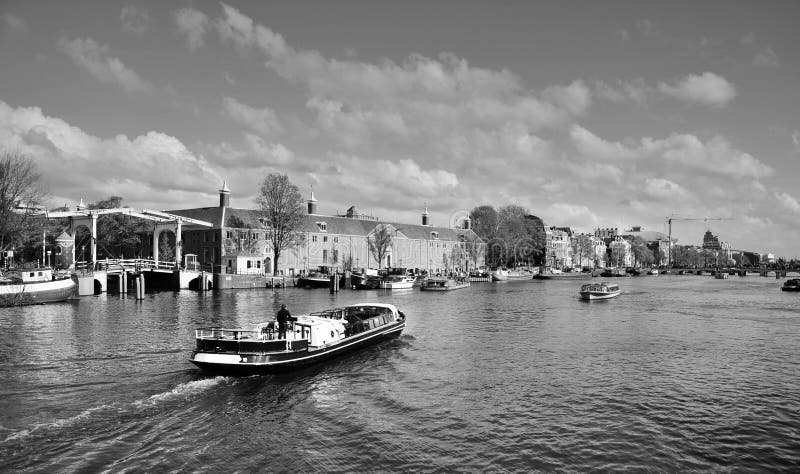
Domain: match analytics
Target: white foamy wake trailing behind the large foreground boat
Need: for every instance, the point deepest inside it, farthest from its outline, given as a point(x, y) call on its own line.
point(183, 391)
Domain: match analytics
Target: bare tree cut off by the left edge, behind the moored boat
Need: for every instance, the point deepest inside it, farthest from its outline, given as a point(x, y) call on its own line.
point(20, 193)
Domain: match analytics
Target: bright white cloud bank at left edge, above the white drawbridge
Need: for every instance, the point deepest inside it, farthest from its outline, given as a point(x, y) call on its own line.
point(72, 161)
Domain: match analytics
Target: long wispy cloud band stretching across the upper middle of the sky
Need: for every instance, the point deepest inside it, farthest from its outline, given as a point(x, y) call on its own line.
point(433, 92)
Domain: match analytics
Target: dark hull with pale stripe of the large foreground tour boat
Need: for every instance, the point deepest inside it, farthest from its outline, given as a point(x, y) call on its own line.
point(275, 363)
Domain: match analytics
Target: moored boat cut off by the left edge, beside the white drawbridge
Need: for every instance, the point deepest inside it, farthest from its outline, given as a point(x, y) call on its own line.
point(35, 286)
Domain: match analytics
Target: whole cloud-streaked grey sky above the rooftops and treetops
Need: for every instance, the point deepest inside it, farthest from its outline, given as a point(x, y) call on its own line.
point(588, 114)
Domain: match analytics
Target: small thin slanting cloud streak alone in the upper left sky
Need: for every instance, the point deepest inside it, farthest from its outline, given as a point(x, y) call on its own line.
point(88, 54)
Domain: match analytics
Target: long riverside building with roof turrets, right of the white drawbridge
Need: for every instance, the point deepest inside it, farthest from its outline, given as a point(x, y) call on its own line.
point(237, 243)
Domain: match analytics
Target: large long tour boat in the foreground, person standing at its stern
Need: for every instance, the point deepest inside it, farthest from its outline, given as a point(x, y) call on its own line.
point(311, 339)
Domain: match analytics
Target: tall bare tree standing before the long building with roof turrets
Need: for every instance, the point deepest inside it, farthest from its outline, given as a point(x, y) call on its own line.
point(281, 208)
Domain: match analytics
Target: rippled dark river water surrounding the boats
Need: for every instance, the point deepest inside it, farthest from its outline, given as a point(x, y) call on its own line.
point(678, 373)
